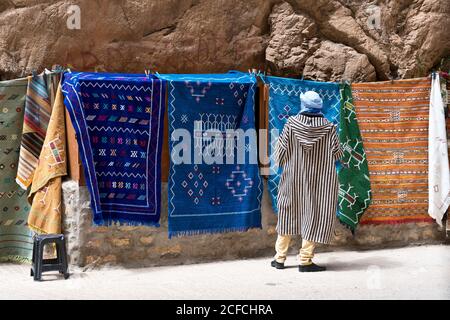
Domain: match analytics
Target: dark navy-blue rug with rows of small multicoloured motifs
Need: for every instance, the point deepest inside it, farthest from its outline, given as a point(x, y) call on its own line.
point(118, 119)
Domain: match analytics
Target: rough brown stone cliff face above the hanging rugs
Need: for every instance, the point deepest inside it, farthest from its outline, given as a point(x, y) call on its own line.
point(319, 39)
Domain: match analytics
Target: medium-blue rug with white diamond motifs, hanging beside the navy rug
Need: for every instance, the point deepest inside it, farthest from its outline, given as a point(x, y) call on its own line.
point(215, 197)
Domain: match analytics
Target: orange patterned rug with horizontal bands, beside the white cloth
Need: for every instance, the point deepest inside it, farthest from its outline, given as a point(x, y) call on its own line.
point(393, 119)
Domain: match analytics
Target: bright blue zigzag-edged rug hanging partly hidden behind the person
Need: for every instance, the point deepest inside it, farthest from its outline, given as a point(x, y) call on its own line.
point(284, 101)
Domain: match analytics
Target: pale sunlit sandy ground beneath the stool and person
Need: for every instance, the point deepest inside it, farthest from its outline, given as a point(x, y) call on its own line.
point(406, 273)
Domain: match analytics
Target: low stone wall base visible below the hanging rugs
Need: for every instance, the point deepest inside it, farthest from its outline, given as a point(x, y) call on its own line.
point(141, 246)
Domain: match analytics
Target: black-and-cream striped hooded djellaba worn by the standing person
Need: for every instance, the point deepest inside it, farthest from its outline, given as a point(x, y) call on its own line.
point(307, 200)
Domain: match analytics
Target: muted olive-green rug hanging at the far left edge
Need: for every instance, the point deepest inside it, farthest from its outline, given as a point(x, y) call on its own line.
point(15, 237)
